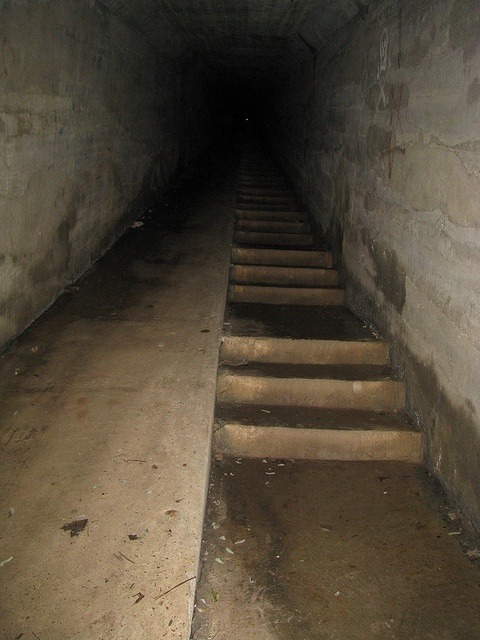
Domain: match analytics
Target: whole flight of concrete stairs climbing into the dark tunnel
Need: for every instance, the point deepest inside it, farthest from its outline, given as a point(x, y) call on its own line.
point(300, 376)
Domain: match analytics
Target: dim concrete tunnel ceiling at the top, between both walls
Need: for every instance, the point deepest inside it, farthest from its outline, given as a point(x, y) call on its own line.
point(237, 33)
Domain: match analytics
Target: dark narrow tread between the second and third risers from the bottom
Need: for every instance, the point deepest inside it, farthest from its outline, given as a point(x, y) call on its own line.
point(351, 372)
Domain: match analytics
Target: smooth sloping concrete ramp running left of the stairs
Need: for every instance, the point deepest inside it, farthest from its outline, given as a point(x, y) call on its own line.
point(106, 412)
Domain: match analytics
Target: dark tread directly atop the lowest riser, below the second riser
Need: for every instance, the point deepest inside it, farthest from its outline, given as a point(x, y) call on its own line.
point(310, 418)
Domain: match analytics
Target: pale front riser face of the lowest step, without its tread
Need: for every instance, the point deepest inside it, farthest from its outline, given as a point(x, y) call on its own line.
point(317, 444)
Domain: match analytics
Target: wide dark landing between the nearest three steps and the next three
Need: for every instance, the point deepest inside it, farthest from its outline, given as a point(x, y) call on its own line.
point(295, 321)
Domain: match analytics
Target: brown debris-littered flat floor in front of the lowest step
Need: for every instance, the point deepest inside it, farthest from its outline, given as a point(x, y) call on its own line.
point(334, 551)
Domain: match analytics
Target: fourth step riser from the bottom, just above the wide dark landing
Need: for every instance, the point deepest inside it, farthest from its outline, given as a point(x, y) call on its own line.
point(286, 295)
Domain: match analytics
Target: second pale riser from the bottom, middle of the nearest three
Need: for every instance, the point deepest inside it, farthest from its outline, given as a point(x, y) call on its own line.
point(381, 395)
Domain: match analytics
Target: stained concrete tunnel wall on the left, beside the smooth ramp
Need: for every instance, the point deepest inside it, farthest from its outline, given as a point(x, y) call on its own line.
point(91, 116)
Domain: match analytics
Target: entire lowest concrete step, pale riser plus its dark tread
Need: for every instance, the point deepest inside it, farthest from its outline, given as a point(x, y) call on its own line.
point(306, 433)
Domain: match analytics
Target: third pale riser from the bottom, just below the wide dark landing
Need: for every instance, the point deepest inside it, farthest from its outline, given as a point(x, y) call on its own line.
point(241, 349)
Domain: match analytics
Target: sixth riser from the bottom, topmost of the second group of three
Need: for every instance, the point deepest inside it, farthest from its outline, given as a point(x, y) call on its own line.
point(282, 257)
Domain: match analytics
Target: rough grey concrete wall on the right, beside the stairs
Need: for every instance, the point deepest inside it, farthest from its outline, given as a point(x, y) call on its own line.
point(380, 131)
